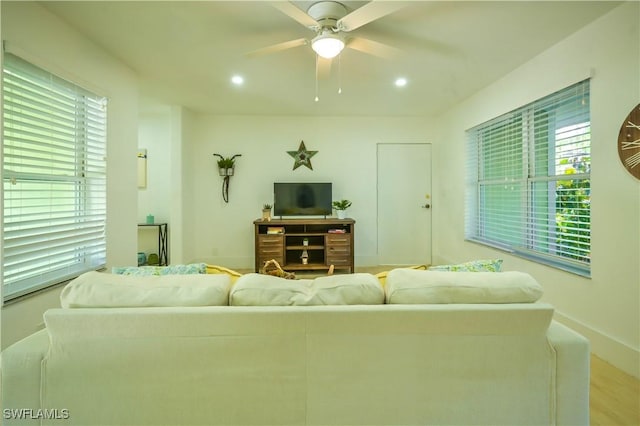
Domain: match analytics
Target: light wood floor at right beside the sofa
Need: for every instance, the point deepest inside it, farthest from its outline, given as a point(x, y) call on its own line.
point(615, 396)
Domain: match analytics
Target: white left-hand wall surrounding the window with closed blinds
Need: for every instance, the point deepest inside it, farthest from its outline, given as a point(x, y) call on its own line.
point(39, 37)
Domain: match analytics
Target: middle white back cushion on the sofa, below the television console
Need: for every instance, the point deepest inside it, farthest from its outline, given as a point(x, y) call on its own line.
point(266, 290)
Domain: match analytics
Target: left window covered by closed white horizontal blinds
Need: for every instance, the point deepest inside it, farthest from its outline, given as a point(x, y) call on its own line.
point(54, 179)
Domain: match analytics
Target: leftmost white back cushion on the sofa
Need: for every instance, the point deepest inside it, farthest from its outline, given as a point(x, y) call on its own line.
point(103, 290)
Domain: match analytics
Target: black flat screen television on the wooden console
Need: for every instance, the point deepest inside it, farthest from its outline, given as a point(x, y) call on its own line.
point(302, 199)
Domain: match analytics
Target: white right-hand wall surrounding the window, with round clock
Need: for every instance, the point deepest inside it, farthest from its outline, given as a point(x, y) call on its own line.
point(606, 307)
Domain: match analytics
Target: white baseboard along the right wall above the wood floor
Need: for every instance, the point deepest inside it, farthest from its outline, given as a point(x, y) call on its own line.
point(605, 347)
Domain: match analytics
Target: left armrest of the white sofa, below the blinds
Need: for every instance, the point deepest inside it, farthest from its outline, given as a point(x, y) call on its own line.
point(22, 375)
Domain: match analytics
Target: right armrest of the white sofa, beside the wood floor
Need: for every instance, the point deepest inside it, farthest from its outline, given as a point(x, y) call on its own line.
point(572, 374)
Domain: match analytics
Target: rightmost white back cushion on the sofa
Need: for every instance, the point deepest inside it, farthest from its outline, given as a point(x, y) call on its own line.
point(413, 286)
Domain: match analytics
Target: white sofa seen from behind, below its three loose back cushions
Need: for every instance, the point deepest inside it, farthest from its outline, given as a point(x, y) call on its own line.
point(337, 364)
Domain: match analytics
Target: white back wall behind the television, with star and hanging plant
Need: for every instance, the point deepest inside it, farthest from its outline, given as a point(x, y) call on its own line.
point(221, 233)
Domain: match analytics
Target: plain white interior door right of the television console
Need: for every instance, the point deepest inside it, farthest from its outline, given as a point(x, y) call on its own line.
point(404, 204)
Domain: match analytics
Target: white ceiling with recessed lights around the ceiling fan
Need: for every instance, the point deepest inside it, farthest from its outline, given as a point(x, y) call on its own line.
point(186, 52)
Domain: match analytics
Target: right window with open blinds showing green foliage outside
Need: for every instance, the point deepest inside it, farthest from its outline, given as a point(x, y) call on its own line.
point(528, 182)
